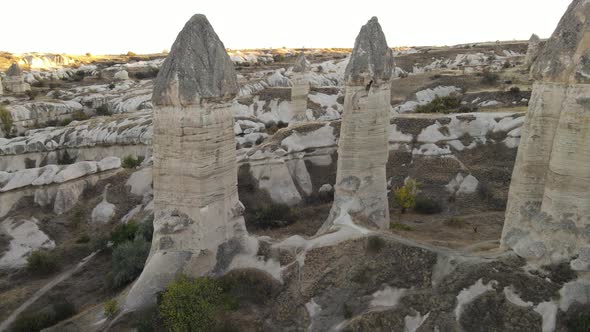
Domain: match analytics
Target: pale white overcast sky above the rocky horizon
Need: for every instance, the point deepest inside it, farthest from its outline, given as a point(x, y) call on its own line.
point(147, 26)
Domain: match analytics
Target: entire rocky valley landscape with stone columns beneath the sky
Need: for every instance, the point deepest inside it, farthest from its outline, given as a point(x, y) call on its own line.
point(276, 171)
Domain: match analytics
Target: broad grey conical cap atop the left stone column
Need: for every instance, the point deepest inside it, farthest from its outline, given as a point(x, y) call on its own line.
point(197, 68)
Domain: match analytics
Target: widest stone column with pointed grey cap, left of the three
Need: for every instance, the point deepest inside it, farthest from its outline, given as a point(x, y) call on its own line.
point(198, 217)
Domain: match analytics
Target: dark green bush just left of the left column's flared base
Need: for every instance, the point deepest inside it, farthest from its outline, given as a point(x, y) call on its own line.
point(128, 259)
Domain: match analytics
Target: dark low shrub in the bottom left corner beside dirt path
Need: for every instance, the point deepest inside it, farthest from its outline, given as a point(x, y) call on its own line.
point(46, 317)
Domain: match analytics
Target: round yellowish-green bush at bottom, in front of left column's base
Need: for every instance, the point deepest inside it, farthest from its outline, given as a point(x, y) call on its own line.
point(193, 304)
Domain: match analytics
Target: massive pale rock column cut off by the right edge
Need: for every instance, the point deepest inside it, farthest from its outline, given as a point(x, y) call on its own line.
point(548, 212)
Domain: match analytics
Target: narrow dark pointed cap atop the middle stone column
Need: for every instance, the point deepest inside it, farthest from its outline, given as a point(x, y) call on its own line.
point(371, 59)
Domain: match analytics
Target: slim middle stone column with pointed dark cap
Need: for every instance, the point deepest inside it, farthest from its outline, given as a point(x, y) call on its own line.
point(361, 187)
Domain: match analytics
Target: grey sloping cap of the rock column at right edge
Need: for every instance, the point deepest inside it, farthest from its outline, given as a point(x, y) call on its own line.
point(566, 55)
